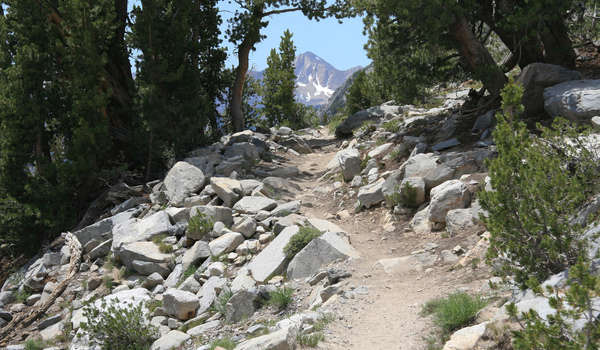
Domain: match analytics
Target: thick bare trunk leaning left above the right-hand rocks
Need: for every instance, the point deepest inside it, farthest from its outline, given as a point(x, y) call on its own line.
point(478, 56)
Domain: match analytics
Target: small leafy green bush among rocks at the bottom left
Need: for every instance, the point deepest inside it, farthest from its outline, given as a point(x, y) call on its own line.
point(118, 327)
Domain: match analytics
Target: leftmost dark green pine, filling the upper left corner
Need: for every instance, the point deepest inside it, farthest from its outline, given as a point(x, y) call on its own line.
point(55, 114)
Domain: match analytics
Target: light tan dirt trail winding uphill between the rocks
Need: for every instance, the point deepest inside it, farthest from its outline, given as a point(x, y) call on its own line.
point(388, 316)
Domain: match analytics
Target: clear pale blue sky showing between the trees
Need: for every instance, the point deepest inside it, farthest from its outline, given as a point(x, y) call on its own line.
point(341, 45)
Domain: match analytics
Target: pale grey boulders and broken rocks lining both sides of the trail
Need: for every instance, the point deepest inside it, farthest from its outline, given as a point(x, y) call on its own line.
point(207, 248)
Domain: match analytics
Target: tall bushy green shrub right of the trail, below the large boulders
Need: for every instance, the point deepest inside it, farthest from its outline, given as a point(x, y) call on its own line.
point(539, 186)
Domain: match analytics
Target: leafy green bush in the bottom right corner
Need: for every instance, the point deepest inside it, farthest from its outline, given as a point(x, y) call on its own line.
point(576, 305)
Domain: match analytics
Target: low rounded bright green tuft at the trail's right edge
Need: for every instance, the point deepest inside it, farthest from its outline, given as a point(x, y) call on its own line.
point(454, 311)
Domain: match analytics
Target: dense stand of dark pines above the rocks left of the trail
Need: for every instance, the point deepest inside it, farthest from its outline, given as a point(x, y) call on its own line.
point(70, 107)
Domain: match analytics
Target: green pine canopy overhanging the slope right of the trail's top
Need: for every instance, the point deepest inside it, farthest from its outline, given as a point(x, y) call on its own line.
point(417, 44)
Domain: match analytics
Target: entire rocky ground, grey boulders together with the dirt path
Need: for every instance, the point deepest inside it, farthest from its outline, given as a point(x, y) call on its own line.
point(204, 251)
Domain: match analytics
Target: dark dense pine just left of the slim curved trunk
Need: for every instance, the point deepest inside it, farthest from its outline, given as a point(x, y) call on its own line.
point(178, 74)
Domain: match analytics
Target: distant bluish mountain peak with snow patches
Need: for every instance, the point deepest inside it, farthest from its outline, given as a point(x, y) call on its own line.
point(316, 80)
